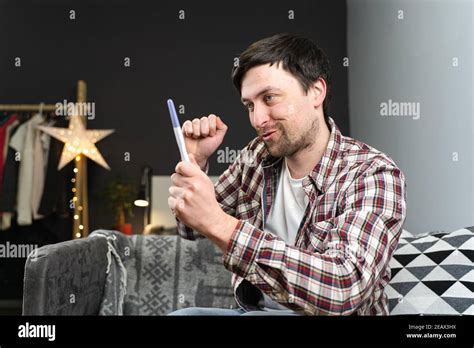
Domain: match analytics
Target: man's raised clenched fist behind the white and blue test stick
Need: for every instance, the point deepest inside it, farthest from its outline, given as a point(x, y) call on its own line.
point(203, 136)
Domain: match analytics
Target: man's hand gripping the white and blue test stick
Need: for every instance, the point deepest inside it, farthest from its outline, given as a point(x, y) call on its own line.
point(193, 200)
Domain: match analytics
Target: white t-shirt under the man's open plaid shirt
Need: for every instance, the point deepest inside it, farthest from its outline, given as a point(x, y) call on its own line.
point(285, 217)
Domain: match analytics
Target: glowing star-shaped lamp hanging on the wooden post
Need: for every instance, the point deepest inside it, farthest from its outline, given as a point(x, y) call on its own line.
point(78, 140)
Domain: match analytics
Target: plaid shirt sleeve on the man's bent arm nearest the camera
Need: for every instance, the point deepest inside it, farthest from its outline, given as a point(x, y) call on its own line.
point(359, 244)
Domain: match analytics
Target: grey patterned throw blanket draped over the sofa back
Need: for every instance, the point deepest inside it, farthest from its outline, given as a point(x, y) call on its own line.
point(155, 275)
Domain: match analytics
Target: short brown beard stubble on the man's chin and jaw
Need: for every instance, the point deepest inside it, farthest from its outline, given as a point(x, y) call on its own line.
point(287, 145)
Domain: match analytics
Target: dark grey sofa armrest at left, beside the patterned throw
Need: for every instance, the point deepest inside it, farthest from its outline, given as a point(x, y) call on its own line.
point(66, 278)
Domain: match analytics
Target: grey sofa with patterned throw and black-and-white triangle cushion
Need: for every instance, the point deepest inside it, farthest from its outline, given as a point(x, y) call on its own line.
point(109, 273)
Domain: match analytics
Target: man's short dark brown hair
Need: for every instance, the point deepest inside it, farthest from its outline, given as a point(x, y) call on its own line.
point(299, 56)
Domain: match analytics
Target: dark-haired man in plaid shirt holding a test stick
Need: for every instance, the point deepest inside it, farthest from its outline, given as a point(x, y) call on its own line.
point(309, 224)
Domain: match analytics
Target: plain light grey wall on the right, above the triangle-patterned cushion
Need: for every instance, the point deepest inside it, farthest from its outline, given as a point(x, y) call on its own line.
point(411, 60)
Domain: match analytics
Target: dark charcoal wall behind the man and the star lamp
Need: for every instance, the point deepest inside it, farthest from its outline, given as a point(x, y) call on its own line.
point(189, 60)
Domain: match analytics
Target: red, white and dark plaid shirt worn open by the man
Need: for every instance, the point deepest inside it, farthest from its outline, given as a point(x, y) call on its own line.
point(339, 264)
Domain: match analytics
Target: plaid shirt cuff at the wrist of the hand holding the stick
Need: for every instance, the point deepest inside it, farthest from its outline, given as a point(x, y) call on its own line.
point(243, 249)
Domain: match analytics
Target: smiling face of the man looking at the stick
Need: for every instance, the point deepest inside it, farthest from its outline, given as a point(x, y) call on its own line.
point(283, 116)
